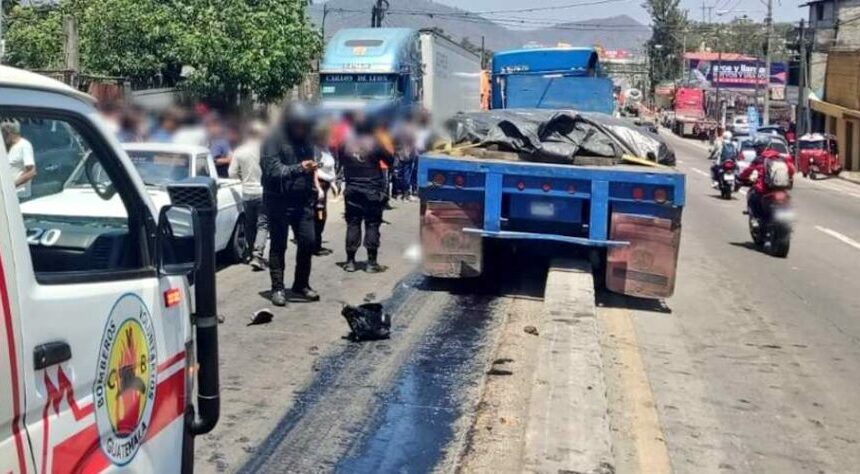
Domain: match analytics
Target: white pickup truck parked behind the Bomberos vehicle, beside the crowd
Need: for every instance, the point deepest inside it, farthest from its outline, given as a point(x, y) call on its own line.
point(158, 165)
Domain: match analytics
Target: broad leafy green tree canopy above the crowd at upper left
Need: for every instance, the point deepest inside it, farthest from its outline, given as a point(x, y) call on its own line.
point(225, 50)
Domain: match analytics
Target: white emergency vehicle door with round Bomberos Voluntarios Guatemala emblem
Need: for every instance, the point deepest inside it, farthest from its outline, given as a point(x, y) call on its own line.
point(103, 335)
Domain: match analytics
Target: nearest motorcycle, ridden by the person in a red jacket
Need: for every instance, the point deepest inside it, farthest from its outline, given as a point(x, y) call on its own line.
point(772, 230)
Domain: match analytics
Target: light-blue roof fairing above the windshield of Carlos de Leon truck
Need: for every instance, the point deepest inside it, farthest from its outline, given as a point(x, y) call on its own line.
point(369, 50)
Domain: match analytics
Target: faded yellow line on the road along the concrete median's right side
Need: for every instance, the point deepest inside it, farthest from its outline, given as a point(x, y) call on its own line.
point(640, 407)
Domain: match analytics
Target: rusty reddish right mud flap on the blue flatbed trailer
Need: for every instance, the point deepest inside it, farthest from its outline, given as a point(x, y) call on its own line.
point(645, 268)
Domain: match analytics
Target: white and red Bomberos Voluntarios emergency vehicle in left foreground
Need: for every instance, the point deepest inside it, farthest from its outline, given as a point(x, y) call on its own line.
point(99, 349)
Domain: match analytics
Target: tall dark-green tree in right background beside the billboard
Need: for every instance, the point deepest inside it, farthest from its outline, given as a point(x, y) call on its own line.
point(665, 47)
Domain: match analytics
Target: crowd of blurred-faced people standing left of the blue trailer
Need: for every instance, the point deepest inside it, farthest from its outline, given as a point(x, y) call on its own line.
point(289, 171)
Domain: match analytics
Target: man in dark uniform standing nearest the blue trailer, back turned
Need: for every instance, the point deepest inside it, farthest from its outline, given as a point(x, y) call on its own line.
point(365, 194)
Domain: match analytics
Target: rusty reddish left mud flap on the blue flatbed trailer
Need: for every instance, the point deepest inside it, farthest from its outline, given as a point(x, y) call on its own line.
point(448, 251)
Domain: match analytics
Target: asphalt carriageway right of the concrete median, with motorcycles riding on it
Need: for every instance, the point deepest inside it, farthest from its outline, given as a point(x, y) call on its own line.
point(754, 364)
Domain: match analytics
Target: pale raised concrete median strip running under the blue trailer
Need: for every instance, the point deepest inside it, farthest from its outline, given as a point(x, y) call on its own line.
point(568, 425)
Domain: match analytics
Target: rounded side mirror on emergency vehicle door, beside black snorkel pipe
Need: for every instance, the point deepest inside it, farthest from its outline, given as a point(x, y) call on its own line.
point(179, 249)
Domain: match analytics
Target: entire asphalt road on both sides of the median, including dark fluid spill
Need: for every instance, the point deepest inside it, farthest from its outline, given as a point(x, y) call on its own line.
point(751, 367)
